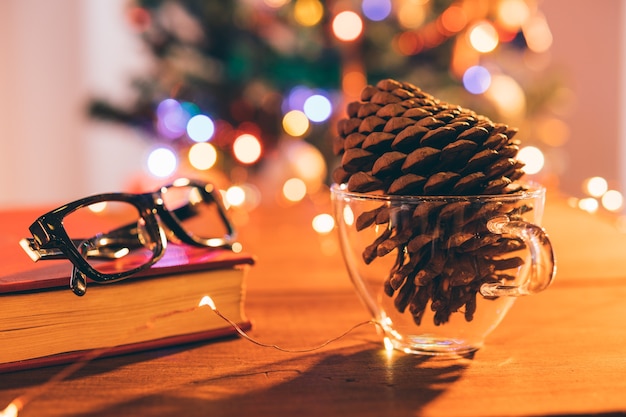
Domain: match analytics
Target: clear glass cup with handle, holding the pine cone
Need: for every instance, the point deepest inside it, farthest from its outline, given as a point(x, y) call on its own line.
point(439, 273)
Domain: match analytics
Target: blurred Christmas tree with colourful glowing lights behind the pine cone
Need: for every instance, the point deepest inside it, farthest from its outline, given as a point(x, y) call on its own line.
point(234, 82)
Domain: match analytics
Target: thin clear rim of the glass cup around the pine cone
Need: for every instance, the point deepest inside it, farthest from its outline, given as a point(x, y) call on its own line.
point(532, 190)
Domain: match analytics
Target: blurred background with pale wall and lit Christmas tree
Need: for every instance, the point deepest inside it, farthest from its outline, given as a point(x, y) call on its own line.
point(108, 95)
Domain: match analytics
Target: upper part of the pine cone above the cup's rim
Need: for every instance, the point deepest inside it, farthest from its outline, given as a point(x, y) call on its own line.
point(410, 143)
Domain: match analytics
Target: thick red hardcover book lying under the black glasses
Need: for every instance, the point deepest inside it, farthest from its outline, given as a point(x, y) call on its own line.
point(42, 322)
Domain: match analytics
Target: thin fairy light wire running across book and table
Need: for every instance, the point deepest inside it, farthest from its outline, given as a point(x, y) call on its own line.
point(18, 403)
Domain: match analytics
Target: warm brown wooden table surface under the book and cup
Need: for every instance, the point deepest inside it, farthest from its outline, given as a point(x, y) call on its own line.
point(562, 352)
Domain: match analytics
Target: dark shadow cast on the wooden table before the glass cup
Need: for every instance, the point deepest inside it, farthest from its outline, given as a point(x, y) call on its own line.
point(365, 382)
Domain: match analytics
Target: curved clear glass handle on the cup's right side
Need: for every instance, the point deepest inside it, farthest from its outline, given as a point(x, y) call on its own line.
point(542, 269)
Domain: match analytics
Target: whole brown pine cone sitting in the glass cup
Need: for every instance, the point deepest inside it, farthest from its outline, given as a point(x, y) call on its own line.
point(399, 140)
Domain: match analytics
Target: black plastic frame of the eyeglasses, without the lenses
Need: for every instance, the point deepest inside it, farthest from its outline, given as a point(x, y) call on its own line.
point(51, 241)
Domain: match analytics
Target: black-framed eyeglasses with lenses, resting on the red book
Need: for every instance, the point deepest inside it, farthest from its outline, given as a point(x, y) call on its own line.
point(138, 227)
